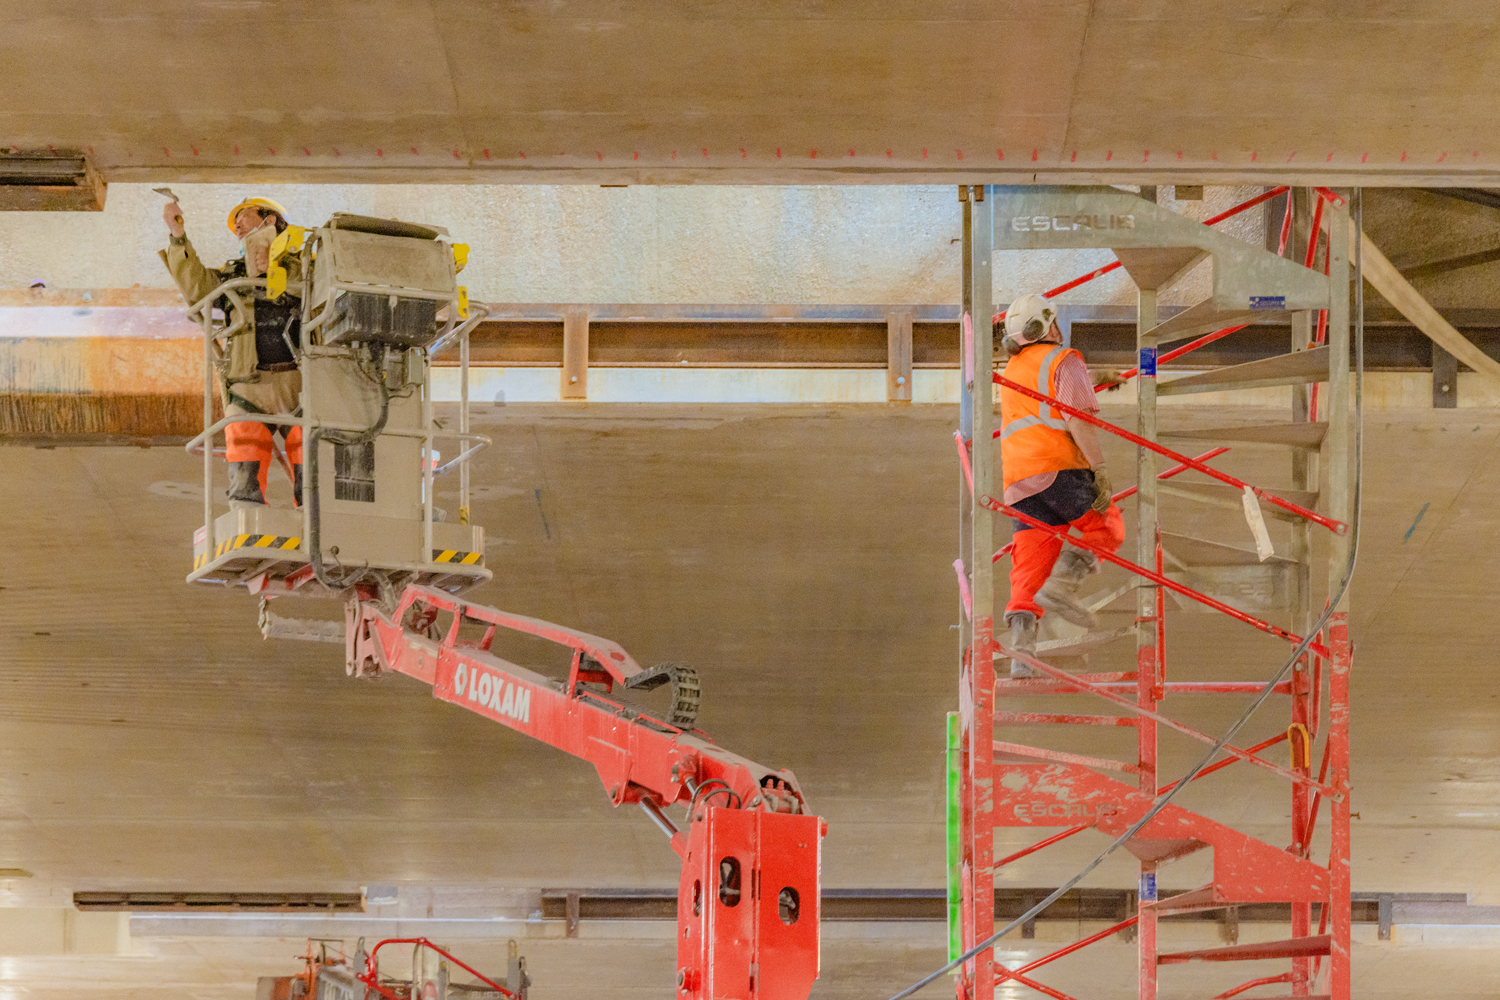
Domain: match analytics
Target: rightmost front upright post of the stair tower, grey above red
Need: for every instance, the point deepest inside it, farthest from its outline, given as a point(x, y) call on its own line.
point(1337, 445)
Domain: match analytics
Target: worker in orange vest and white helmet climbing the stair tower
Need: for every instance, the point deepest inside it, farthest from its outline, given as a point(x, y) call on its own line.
point(1054, 472)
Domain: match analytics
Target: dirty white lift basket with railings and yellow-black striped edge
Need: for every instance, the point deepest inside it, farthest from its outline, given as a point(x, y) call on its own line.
point(379, 301)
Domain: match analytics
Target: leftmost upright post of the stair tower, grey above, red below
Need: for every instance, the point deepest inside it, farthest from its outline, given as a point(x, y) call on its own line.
point(977, 698)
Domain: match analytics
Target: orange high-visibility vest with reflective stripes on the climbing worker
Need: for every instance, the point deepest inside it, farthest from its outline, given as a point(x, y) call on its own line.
point(1034, 436)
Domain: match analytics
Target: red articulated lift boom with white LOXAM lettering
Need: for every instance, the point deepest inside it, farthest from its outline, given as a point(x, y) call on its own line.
point(751, 888)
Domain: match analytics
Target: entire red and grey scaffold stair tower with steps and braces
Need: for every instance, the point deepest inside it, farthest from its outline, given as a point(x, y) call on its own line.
point(1003, 783)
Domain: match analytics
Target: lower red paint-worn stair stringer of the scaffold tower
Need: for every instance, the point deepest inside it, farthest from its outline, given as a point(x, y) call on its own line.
point(1246, 870)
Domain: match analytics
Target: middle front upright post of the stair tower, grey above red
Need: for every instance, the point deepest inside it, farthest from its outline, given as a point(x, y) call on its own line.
point(1147, 665)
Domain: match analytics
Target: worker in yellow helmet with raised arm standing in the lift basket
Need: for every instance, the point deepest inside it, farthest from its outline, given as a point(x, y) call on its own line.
point(259, 371)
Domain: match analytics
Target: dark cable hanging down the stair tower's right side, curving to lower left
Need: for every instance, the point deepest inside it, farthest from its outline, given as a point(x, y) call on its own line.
point(1357, 208)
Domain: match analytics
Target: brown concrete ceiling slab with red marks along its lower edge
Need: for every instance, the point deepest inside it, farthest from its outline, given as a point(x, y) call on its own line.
point(733, 92)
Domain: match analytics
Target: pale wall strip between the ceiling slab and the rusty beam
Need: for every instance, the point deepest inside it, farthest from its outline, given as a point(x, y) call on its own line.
point(583, 244)
